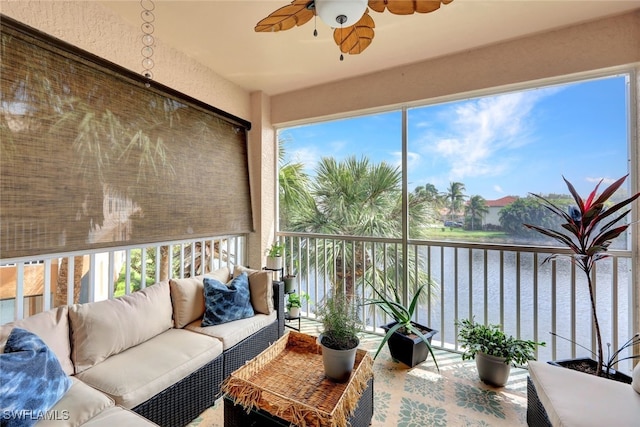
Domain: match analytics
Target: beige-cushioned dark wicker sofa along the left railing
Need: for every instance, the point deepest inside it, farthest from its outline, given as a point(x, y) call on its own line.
point(146, 353)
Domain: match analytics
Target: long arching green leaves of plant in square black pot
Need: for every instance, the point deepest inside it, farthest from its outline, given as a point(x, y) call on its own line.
point(402, 316)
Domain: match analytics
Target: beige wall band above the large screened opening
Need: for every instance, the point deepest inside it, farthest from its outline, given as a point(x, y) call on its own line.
point(596, 45)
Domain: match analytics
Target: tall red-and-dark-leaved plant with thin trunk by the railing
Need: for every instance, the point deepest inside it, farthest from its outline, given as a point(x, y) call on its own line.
point(588, 230)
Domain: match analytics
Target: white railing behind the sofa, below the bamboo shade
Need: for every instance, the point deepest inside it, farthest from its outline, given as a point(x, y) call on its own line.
point(31, 285)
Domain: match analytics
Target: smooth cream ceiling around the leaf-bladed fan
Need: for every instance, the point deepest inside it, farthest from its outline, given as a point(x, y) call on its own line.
point(220, 35)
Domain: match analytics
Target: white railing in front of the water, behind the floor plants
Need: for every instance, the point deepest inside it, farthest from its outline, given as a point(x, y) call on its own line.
point(507, 285)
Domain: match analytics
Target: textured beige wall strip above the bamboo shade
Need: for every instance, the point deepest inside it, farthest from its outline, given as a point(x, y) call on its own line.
point(96, 29)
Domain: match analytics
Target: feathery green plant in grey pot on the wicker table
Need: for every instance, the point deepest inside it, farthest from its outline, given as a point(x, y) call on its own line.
point(339, 338)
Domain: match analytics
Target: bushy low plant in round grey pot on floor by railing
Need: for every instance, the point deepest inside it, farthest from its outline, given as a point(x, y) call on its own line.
point(493, 351)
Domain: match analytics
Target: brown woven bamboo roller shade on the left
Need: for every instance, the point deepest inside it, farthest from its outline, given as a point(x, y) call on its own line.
point(91, 158)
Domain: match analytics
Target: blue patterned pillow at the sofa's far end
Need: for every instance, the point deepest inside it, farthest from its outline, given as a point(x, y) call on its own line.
point(224, 303)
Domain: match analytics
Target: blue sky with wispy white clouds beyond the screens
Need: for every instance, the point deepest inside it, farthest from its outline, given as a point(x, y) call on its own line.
point(508, 144)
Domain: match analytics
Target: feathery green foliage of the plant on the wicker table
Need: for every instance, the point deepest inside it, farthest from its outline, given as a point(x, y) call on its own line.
point(340, 322)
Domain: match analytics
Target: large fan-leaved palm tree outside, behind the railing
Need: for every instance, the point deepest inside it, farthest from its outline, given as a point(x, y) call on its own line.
point(358, 198)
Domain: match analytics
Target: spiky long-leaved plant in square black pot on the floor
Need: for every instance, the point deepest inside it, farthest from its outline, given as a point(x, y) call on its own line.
point(408, 341)
